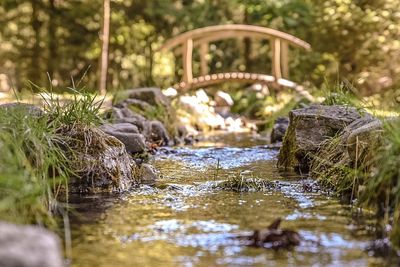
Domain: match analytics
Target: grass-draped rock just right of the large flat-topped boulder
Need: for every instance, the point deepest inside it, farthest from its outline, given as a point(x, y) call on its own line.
point(354, 146)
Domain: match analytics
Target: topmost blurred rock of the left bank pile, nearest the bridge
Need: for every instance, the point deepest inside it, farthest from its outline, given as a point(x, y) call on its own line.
point(152, 96)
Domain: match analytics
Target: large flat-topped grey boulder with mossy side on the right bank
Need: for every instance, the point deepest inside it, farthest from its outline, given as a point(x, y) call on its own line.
point(309, 128)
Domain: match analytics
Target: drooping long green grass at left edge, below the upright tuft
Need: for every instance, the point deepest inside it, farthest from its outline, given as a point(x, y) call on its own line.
point(33, 167)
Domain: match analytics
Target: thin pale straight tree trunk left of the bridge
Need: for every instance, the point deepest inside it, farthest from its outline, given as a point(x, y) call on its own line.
point(105, 38)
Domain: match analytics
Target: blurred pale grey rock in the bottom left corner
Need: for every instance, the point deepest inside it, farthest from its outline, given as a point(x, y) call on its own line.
point(28, 246)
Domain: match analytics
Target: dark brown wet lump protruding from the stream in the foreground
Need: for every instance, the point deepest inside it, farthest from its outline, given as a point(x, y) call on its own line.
point(275, 238)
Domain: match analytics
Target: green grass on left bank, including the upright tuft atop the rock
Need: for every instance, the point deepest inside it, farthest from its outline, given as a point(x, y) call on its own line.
point(35, 163)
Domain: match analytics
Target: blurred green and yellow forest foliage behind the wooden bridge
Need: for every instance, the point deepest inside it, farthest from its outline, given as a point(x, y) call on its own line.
point(358, 39)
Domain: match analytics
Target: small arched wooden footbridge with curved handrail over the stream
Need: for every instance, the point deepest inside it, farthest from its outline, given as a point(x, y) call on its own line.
point(200, 38)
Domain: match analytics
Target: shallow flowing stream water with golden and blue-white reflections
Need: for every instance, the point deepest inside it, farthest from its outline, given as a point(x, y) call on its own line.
point(185, 221)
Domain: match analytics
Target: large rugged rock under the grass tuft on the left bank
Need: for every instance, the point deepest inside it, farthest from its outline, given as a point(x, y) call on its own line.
point(100, 161)
